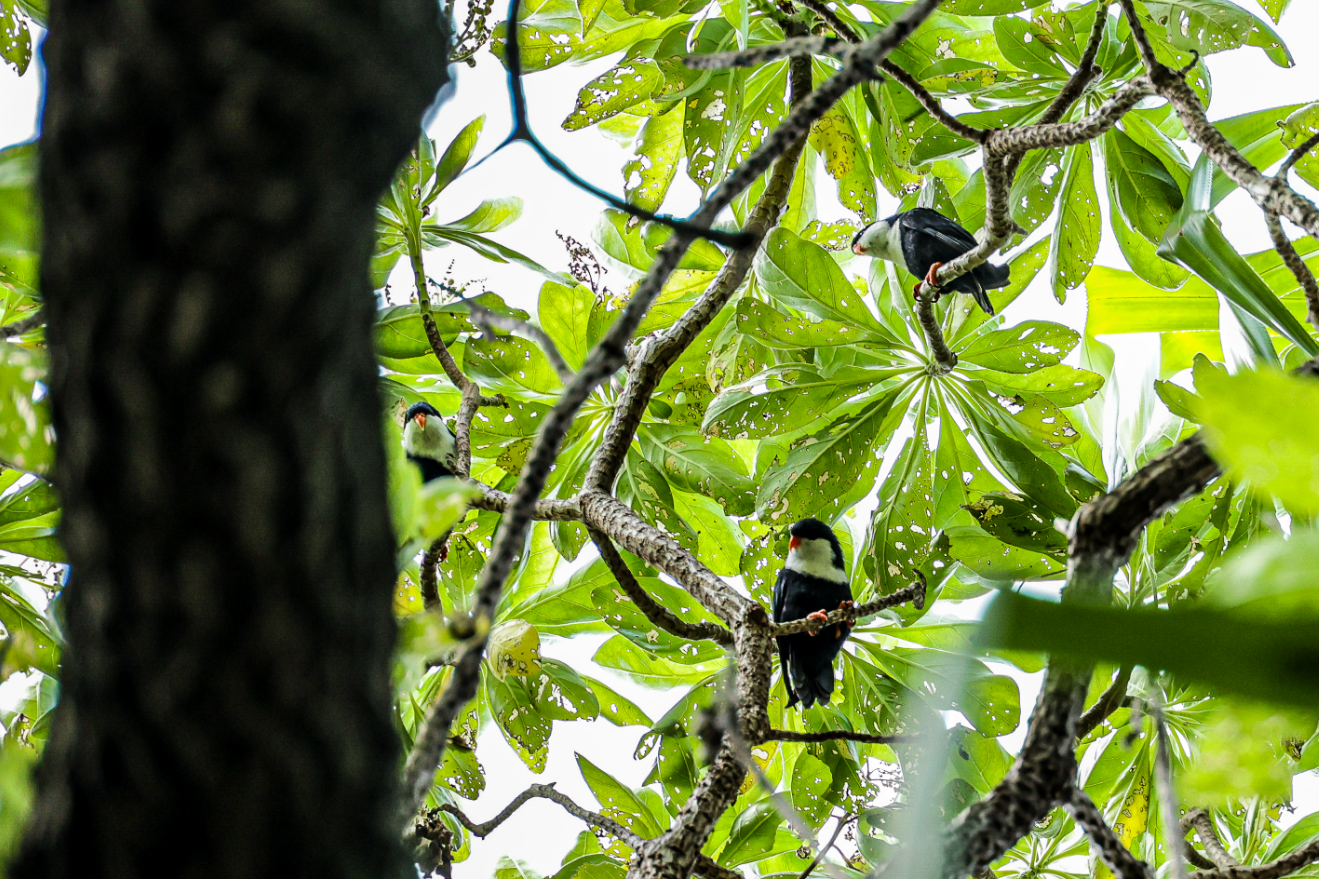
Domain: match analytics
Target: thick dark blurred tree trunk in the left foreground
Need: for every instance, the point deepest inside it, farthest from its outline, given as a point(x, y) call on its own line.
point(209, 176)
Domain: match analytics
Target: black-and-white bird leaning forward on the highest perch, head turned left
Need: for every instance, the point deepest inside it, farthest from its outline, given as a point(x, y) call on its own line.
point(924, 240)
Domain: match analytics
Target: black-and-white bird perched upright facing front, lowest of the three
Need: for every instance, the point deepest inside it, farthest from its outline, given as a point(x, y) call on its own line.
point(813, 583)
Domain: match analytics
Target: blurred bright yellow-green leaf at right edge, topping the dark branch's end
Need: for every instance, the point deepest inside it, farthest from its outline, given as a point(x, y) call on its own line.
point(1266, 427)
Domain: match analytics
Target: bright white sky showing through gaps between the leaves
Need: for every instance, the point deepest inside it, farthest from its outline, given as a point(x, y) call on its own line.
point(1243, 81)
